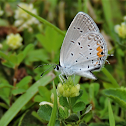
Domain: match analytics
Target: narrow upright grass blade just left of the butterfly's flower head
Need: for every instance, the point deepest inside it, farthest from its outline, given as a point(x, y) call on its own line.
point(54, 111)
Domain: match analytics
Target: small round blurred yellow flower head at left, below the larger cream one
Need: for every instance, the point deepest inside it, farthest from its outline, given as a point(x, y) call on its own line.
point(14, 40)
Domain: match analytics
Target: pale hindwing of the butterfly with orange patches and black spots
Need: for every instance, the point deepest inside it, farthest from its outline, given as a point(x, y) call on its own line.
point(88, 53)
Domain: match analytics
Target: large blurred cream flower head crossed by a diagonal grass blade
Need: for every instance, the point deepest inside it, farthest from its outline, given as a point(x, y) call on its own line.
point(23, 19)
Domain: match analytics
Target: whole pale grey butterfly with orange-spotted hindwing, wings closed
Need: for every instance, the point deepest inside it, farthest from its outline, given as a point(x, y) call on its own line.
point(83, 50)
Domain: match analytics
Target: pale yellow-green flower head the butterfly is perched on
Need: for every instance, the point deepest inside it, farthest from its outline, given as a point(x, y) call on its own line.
point(68, 89)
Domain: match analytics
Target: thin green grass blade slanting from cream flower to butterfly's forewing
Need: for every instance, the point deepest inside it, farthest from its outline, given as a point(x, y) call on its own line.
point(44, 21)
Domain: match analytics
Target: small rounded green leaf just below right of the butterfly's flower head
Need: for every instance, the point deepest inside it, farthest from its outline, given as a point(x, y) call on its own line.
point(79, 106)
